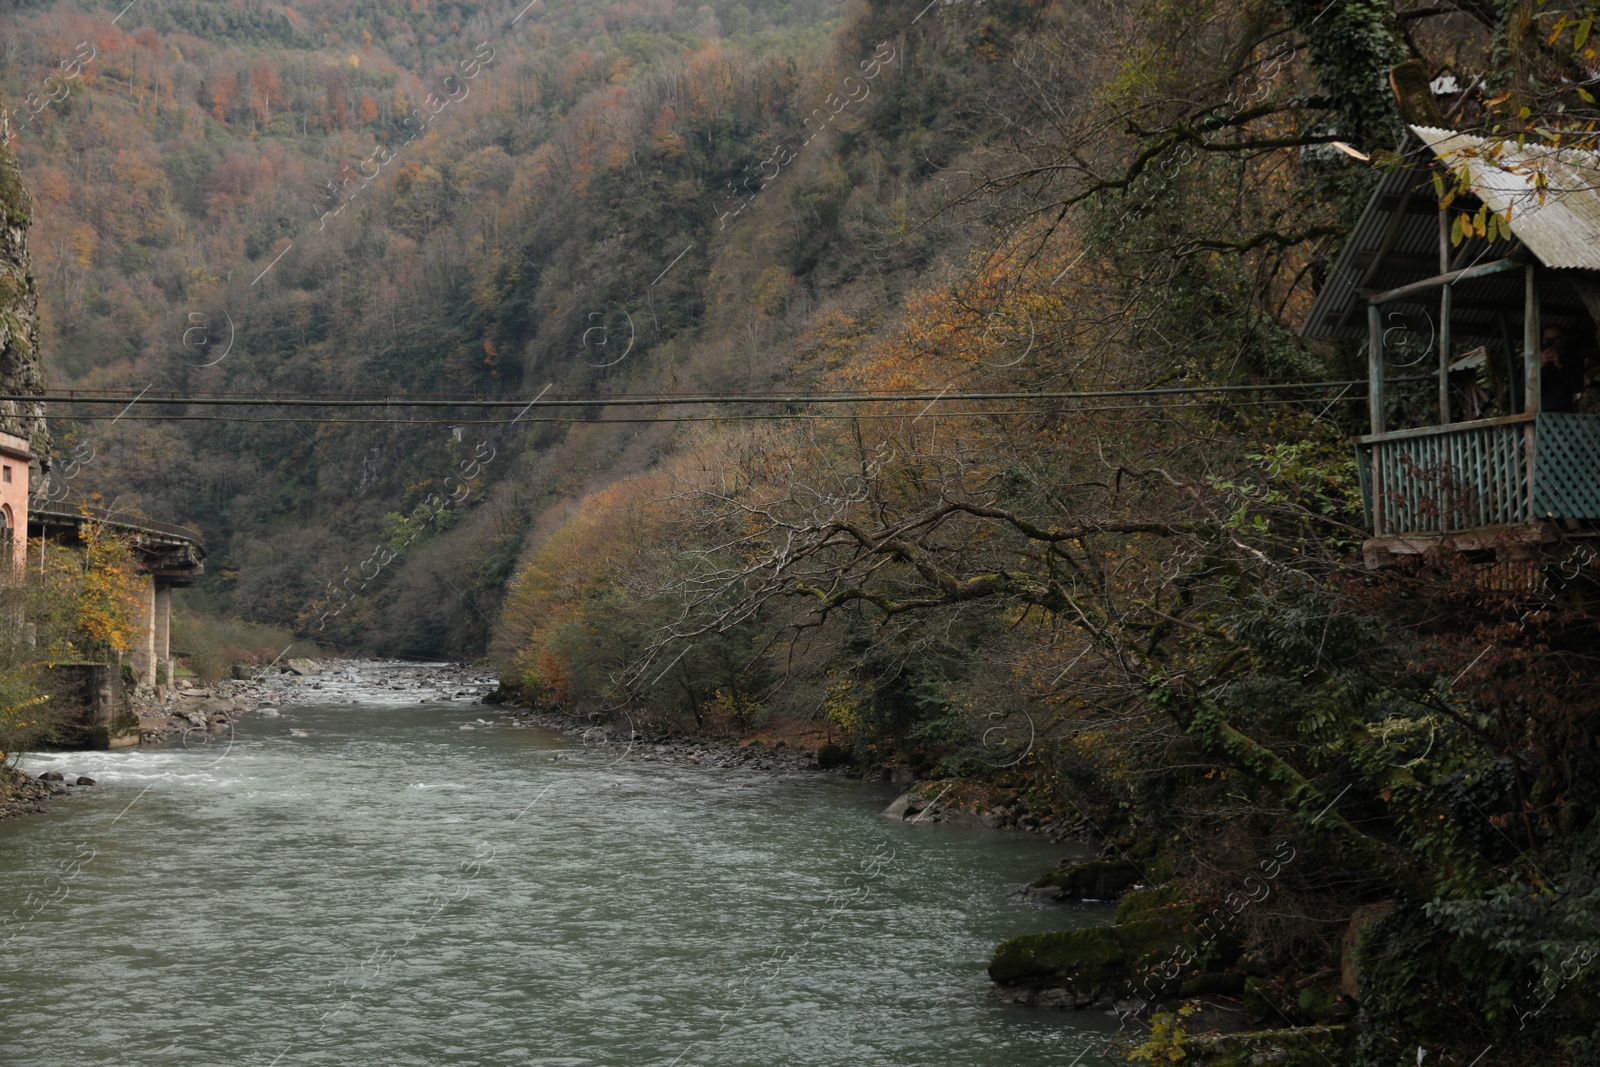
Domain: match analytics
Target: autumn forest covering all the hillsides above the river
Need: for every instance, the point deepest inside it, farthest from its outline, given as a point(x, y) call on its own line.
point(1134, 601)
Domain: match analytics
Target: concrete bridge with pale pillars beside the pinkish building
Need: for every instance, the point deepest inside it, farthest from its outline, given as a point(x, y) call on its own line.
point(170, 557)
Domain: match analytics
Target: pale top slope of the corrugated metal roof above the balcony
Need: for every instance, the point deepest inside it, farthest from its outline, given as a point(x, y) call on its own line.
point(1562, 226)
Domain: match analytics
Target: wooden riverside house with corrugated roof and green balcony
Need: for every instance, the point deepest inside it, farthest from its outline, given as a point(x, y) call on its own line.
point(1497, 450)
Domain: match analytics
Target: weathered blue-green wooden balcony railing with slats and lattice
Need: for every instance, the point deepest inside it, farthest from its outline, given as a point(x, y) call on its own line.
point(1492, 473)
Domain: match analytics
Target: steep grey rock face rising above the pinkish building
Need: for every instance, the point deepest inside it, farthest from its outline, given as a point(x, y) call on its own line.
point(22, 370)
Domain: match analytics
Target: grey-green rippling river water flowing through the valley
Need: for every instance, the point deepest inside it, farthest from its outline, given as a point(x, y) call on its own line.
point(370, 884)
